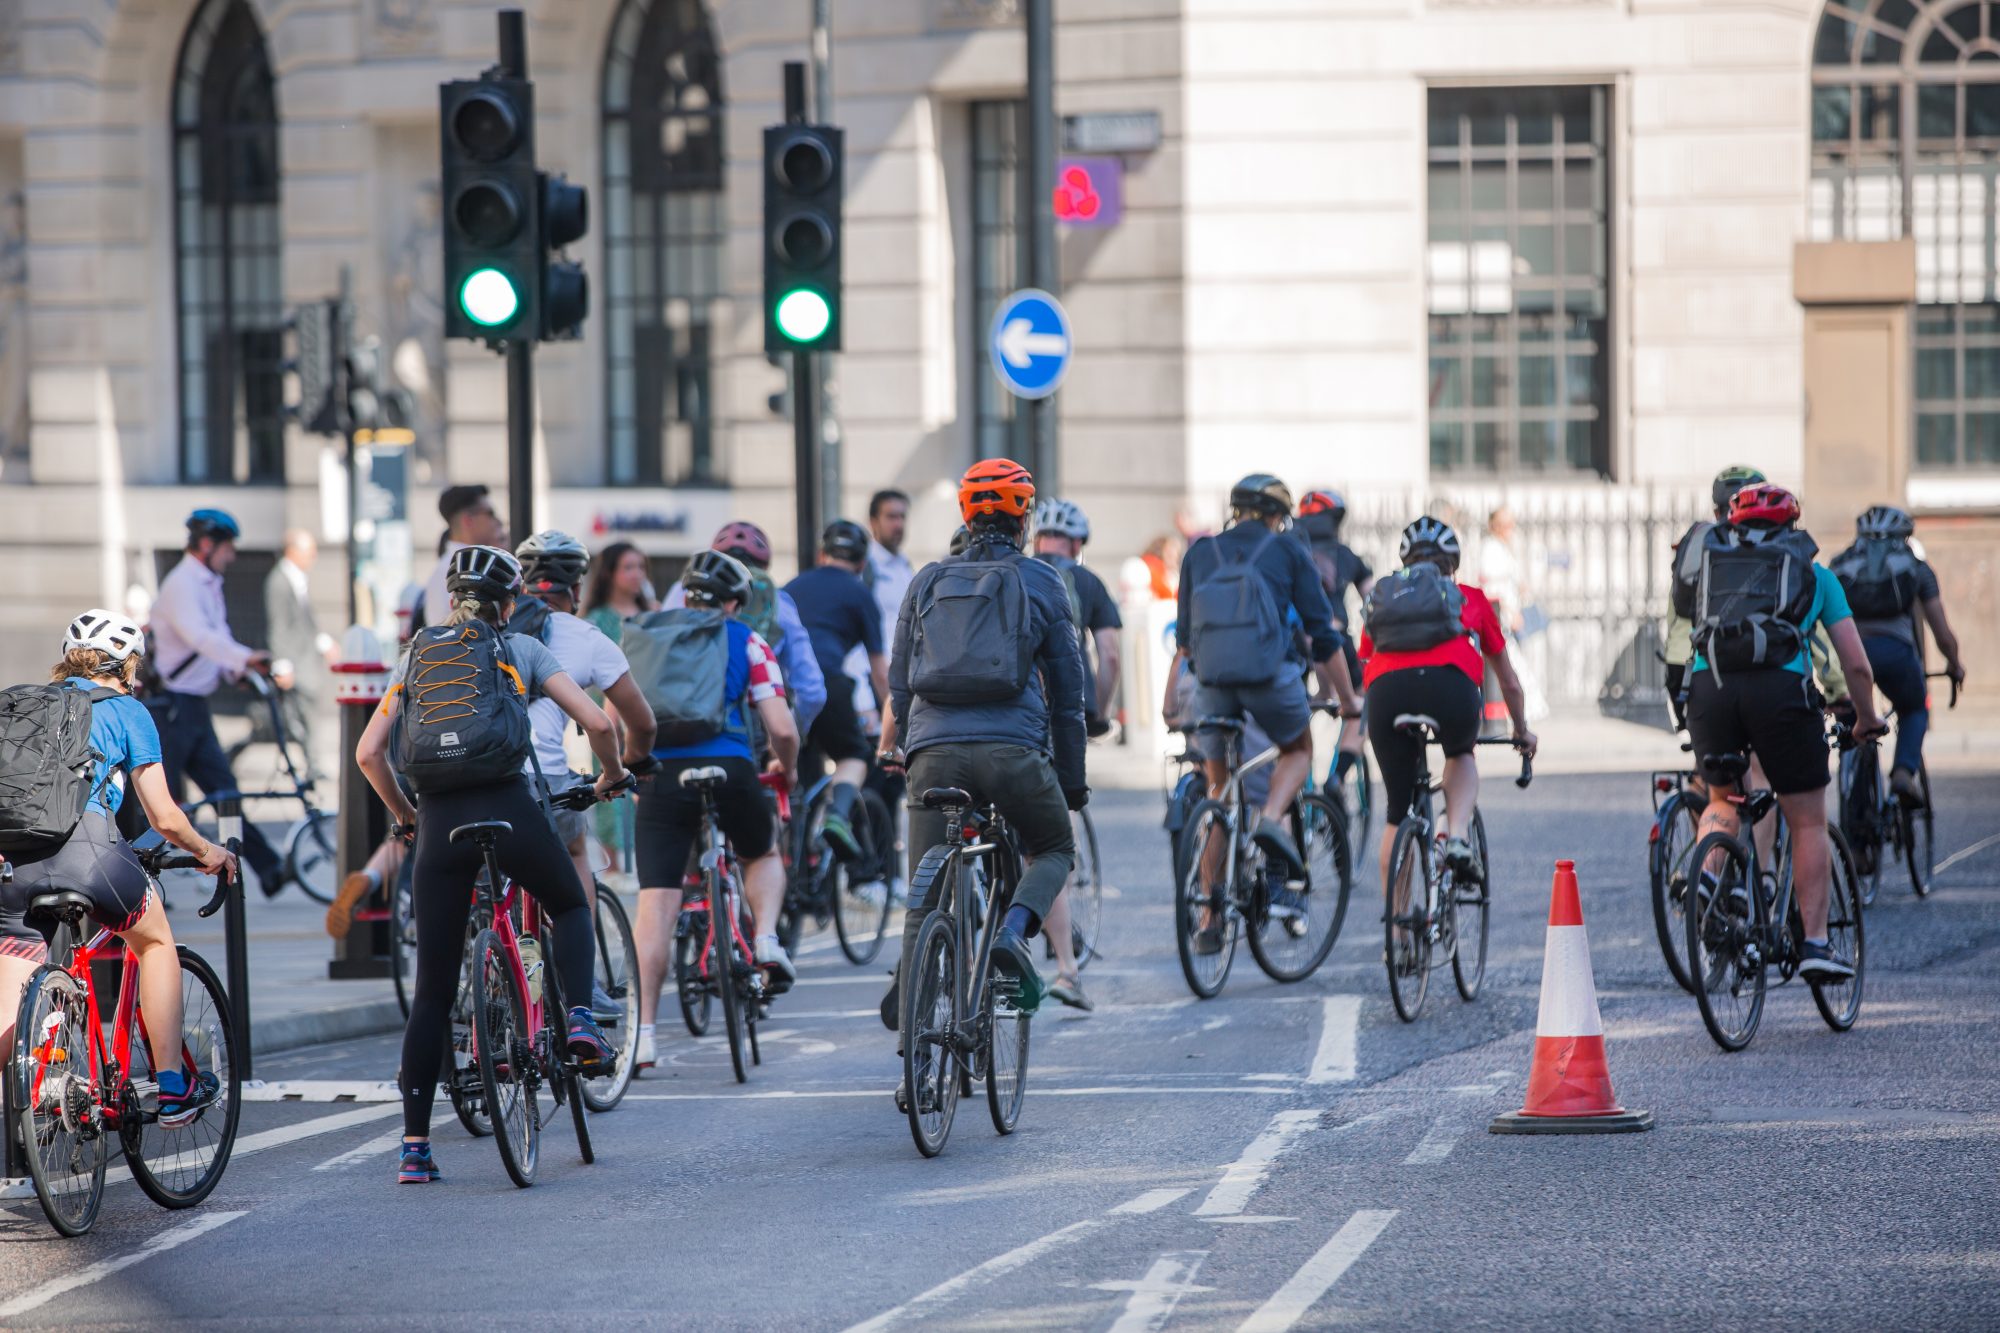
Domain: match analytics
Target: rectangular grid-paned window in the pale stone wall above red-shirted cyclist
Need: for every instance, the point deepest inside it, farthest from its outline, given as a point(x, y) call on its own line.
point(1519, 281)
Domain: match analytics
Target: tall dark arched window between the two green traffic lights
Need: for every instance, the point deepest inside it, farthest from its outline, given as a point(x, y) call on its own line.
point(665, 229)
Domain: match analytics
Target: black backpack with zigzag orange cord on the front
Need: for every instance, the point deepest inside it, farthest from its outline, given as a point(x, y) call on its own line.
point(465, 712)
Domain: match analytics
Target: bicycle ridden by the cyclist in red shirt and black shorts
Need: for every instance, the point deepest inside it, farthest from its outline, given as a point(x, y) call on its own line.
point(1447, 914)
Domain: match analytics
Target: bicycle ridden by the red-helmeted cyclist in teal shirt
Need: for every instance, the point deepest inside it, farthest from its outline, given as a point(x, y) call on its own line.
point(1733, 940)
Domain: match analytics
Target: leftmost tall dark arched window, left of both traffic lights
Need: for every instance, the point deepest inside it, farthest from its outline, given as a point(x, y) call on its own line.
point(229, 275)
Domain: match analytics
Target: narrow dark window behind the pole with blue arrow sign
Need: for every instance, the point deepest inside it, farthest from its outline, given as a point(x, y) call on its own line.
point(999, 265)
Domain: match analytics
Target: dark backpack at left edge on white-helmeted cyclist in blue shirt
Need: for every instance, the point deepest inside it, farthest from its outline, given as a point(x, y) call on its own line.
point(45, 764)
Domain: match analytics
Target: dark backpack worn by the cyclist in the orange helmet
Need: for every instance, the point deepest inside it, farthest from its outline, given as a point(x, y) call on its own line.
point(969, 629)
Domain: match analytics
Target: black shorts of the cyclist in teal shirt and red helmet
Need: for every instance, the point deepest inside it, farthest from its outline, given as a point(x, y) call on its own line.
point(1771, 714)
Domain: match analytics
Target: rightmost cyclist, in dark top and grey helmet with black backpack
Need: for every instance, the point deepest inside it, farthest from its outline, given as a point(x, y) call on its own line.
point(1887, 585)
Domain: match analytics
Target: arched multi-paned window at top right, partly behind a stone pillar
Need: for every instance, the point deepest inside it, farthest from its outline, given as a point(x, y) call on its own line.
point(1907, 143)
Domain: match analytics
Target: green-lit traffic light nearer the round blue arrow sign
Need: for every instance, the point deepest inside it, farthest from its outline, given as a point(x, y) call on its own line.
point(803, 187)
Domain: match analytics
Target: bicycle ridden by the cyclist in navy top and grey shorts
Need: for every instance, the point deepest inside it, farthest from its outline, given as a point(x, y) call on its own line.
point(1221, 882)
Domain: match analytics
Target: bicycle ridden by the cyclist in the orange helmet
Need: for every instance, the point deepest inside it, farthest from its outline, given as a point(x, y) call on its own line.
point(959, 1020)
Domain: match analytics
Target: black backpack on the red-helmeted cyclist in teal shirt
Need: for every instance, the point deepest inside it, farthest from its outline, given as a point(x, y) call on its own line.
point(1753, 599)
